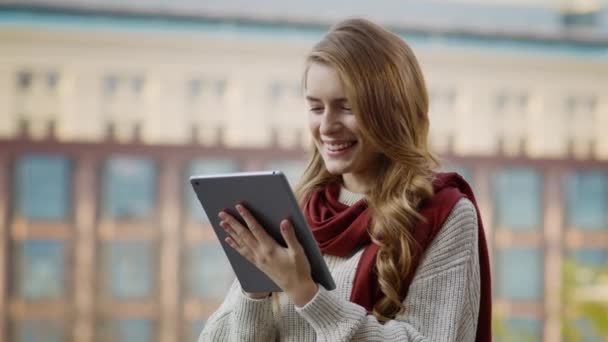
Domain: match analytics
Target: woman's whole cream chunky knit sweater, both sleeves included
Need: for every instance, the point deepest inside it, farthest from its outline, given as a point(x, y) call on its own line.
point(442, 302)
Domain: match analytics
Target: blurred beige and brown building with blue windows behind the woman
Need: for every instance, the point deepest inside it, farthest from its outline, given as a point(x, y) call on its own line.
point(107, 107)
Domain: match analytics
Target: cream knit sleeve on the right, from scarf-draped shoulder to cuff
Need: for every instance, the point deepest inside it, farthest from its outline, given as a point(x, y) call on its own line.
point(442, 302)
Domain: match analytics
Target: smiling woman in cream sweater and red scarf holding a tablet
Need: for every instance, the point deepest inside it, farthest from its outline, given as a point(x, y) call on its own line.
point(405, 245)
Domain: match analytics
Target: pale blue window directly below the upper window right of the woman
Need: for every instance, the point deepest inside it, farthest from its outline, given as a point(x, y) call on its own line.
point(519, 273)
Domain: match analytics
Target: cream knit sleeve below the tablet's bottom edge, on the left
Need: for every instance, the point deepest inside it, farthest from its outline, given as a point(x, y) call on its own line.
point(240, 318)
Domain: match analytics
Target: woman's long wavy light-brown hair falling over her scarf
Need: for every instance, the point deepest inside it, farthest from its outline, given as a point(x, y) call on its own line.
point(384, 85)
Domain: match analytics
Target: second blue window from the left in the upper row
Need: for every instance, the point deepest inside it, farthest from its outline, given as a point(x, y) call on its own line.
point(129, 188)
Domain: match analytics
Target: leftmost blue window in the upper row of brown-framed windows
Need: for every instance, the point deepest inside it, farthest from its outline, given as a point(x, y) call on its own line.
point(43, 187)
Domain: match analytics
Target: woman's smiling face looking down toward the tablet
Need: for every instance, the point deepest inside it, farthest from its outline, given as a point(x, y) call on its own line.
point(334, 126)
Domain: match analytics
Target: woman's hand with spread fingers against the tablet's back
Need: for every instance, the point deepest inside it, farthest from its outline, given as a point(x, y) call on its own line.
point(287, 267)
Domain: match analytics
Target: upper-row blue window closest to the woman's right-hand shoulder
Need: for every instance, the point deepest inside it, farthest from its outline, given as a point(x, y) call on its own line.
point(518, 199)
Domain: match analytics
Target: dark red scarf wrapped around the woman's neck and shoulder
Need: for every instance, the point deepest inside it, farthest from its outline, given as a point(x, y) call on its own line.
point(341, 230)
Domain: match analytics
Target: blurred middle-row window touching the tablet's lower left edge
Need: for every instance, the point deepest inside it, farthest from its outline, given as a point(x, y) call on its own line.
point(209, 272)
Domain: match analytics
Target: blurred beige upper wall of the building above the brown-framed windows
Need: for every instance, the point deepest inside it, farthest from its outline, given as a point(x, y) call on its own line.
point(465, 86)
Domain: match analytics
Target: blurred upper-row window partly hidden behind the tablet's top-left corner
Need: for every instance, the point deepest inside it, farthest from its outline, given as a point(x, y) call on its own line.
point(203, 167)
